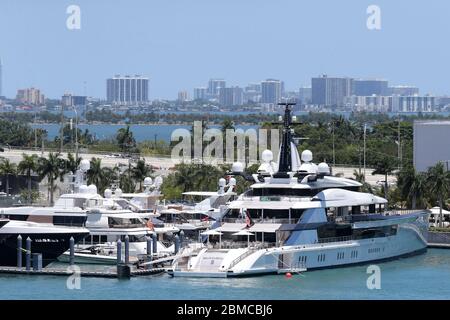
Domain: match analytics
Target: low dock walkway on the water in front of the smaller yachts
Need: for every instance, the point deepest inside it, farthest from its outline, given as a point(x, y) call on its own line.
point(82, 273)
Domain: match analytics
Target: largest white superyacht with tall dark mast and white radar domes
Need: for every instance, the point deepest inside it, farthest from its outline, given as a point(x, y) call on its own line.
point(297, 217)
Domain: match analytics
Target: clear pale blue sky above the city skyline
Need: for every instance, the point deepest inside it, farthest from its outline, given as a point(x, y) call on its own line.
point(180, 44)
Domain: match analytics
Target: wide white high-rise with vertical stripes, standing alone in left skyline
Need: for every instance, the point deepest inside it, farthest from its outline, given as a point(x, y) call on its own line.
point(127, 89)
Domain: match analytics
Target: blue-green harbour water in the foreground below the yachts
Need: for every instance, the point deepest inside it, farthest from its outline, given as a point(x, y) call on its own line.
point(422, 277)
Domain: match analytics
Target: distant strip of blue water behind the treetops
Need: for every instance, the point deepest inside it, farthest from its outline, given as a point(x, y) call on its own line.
point(141, 132)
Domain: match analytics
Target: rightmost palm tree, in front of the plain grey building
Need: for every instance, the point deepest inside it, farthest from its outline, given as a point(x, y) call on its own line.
point(438, 180)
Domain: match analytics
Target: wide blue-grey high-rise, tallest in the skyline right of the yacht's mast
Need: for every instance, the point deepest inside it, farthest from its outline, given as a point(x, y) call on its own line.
point(330, 91)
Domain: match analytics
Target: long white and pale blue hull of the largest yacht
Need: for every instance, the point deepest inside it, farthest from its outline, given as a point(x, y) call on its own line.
point(409, 240)
